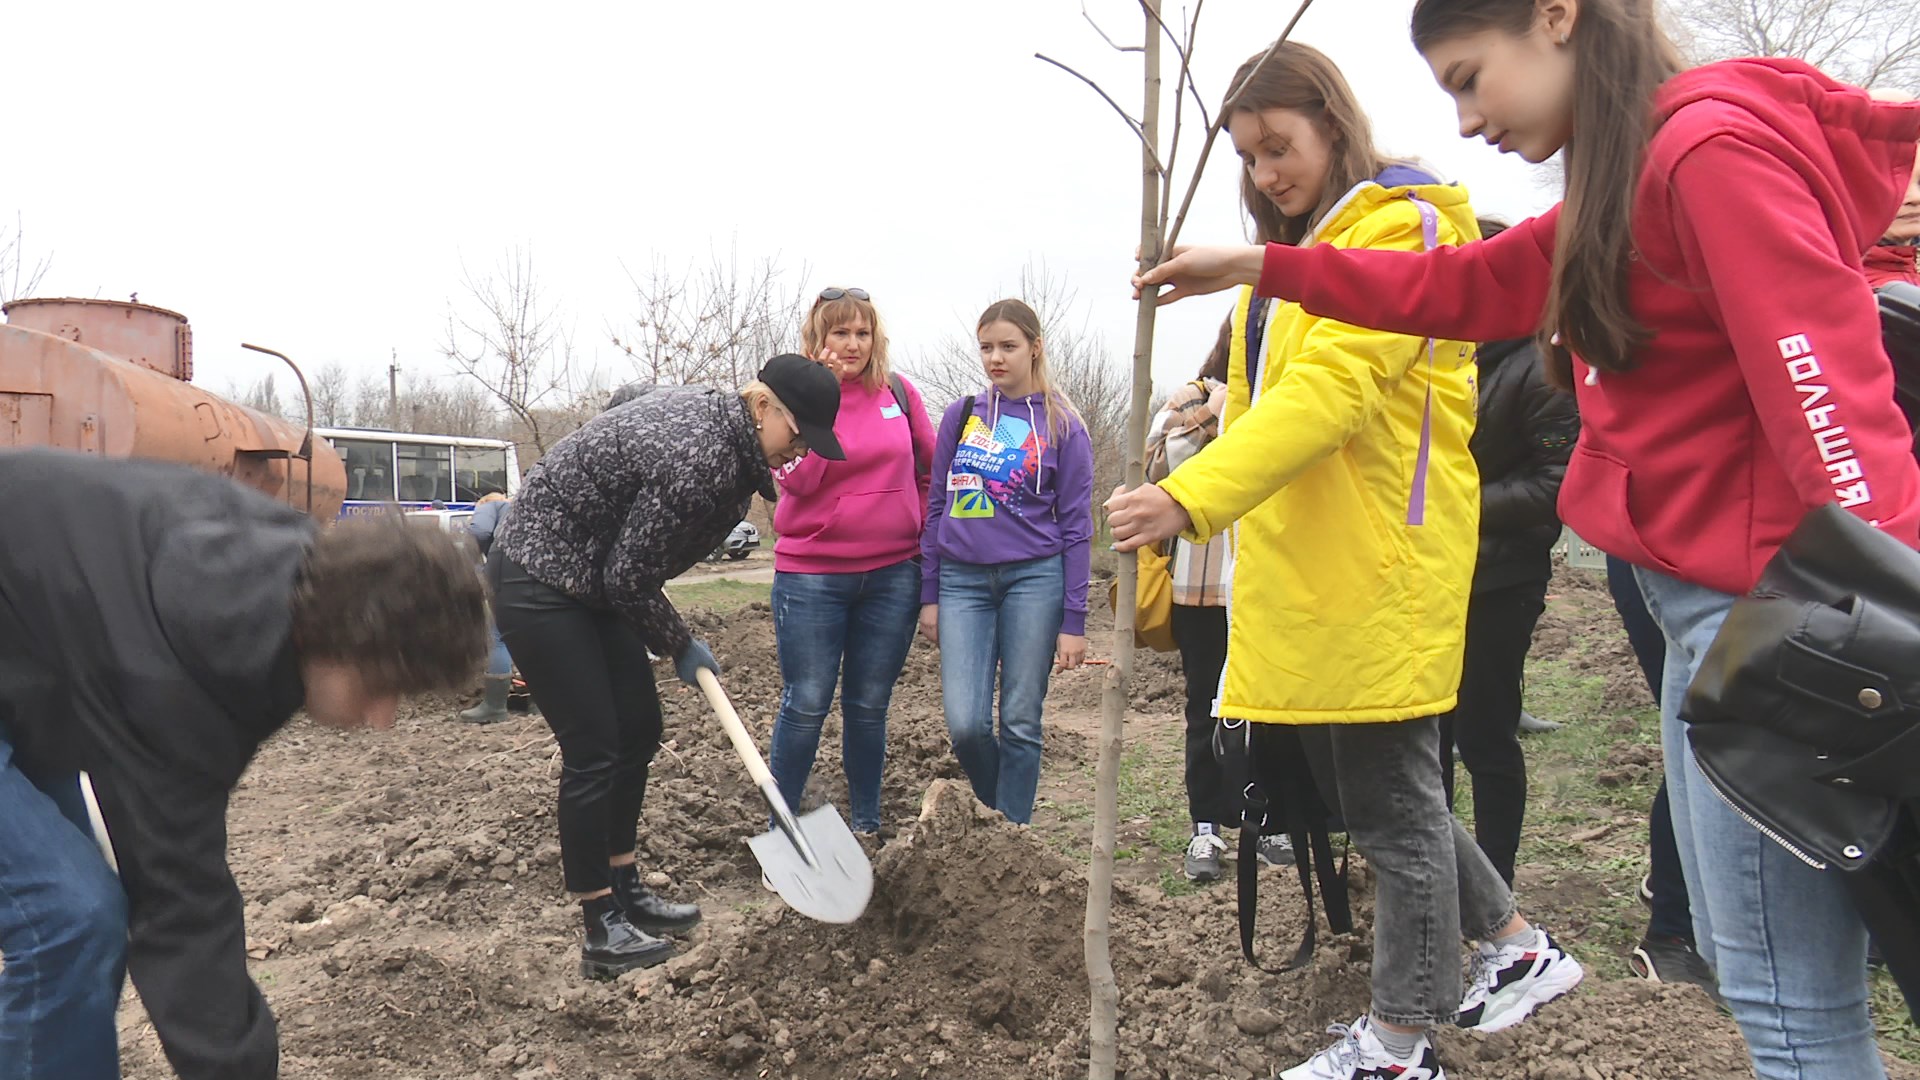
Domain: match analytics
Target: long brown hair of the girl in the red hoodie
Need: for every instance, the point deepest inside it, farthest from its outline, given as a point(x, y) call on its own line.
point(1621, 59)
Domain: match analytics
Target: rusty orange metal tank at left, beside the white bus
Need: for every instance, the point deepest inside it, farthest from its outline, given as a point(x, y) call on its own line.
point(112, 380)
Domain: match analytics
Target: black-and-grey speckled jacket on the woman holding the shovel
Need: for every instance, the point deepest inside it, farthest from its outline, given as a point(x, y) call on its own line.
point(635, 499)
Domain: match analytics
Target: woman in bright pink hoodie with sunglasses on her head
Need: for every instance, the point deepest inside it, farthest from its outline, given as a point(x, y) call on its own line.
point(848, 560)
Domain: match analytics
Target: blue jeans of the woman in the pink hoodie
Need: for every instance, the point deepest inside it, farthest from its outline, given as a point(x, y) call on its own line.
point(850, 631)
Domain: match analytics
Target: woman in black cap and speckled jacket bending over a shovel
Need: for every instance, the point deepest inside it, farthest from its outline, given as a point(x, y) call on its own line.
point(604, 522)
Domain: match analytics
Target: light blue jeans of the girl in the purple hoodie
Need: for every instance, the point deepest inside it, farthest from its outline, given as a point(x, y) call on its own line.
point(999, 620)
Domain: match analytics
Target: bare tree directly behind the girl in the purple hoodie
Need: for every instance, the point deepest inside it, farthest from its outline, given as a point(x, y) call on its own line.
point(1080, 360)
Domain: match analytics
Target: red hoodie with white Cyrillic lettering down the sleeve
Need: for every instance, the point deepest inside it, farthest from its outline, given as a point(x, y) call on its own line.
point(1765, 389)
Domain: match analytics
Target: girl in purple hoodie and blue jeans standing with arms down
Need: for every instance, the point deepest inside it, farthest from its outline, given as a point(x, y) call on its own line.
point(1007, 556)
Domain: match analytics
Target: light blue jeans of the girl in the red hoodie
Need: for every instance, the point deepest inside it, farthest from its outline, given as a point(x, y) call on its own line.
point(1783, 937)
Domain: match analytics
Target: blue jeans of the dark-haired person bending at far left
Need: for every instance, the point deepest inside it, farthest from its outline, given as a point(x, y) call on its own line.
point(62, 933)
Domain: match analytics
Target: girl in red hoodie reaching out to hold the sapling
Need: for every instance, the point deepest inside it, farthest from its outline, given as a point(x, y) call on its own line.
point(1702, 291)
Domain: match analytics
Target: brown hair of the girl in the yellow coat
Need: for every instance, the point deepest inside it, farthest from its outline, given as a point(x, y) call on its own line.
point(1307, 82)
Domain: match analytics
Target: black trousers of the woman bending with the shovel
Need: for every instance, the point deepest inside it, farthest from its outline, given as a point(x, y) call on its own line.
point(594, 685)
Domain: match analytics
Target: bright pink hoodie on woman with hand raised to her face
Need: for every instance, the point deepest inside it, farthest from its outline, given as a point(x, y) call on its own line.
point(863, 514)
